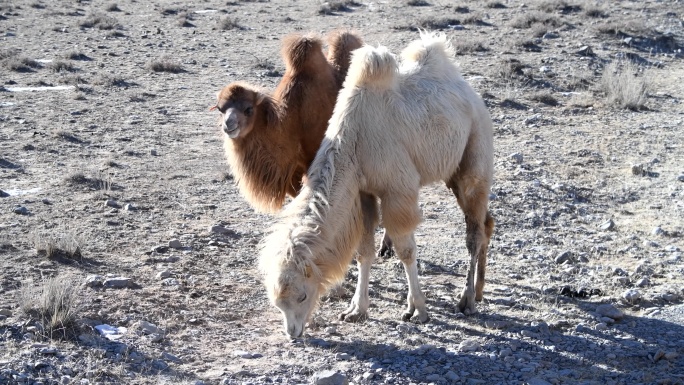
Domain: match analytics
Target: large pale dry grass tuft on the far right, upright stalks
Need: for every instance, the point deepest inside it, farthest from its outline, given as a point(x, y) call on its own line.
point(625, 86)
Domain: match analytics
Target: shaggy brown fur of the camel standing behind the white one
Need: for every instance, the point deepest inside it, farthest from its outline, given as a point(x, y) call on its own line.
point(271, 158)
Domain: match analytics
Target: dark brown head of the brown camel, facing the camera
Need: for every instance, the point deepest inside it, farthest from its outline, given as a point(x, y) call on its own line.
point(244, 109)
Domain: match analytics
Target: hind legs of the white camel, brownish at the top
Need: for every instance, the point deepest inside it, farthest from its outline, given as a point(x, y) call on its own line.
point(472, 194)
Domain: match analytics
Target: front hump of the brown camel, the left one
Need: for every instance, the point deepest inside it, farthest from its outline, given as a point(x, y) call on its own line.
point(300, 52)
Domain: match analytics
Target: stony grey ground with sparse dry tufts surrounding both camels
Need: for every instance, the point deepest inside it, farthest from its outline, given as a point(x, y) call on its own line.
point(128, 256)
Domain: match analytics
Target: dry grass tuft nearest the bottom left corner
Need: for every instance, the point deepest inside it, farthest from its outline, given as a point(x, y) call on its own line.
point(54, 305)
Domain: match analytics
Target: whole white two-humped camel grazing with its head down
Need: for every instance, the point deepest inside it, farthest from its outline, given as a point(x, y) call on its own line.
point(395, 127)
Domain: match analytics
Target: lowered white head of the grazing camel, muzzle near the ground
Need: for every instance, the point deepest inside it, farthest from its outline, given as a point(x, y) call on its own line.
point(294, 288)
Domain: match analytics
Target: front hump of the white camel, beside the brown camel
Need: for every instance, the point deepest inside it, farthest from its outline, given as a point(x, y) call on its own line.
point(371, 66)
